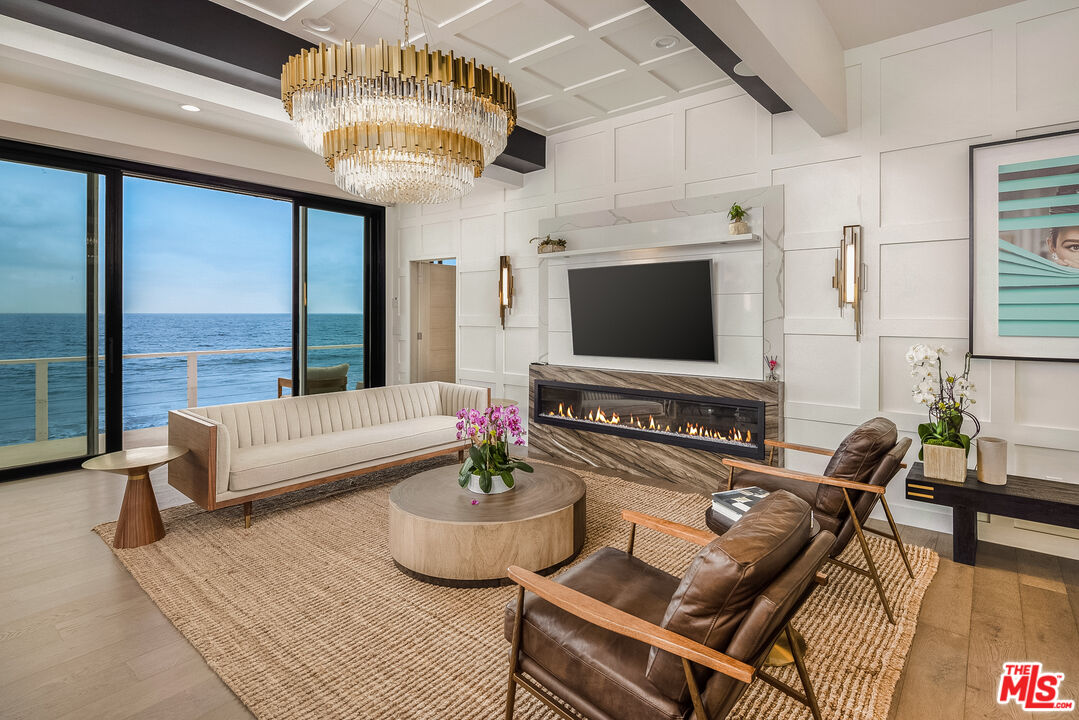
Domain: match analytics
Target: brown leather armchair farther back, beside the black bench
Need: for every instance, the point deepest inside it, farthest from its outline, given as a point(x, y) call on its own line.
point(855, 480)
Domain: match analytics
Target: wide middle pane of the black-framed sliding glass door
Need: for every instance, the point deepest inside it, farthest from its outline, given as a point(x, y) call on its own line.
point(208, 296)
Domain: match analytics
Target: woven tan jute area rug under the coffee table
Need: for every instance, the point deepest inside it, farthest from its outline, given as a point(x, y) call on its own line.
point(305, 615)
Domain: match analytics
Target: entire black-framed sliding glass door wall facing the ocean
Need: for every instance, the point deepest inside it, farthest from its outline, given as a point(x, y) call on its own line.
point(128, 291)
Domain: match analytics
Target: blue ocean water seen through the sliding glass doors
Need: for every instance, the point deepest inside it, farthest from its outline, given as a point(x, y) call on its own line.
point(153, 387)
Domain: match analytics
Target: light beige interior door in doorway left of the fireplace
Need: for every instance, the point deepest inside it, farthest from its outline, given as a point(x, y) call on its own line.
point(434, 322)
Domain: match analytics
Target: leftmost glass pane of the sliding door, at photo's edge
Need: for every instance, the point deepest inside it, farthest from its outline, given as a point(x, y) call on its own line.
point(51, 376)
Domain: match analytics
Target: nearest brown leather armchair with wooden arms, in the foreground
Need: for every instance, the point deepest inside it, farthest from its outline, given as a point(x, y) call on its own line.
point(618, 640)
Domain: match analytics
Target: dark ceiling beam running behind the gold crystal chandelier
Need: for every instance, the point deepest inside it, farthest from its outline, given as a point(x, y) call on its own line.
point(211, 40)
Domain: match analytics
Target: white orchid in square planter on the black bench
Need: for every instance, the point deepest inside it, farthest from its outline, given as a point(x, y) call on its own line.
point(948, 397)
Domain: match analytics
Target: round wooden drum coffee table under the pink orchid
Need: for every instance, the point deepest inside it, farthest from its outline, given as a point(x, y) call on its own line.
point(439, 536)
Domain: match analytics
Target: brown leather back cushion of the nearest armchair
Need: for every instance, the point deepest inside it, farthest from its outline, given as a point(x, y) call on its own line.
point(726, 578)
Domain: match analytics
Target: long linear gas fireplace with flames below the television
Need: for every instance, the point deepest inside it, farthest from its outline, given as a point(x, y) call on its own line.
point(721, 425)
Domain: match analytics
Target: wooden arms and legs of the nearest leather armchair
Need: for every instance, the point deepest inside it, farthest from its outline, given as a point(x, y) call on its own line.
point(618, 621)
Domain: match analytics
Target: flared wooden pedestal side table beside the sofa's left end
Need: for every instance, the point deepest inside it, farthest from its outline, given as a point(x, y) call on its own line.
point(140, 522)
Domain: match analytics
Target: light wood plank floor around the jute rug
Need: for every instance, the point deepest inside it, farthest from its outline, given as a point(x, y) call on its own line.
point(80, 640)
